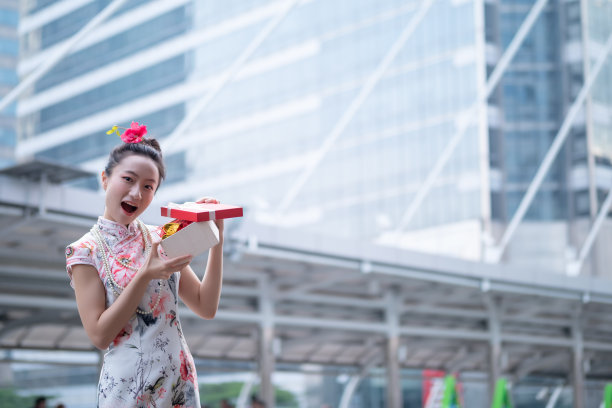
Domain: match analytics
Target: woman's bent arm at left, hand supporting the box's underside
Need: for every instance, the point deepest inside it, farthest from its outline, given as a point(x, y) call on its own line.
point(102, 325)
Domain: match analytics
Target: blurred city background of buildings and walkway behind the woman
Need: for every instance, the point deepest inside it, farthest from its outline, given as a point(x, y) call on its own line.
point(425, 183)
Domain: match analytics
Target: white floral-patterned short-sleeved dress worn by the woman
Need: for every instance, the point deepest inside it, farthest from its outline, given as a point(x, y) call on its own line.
point(148, 364)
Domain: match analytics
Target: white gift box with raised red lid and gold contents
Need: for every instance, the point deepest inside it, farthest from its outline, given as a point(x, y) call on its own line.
point(197, 231)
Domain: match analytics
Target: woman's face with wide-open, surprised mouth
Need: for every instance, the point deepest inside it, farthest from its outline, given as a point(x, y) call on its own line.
point(130, 188)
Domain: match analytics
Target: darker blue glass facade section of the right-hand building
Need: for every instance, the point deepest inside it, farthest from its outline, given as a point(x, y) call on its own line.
point(531, 98)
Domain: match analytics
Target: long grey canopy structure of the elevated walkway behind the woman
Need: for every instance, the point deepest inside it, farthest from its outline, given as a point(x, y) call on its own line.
point(292, 297)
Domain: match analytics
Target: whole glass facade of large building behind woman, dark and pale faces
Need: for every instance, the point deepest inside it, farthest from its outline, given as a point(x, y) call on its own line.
point(255, 138)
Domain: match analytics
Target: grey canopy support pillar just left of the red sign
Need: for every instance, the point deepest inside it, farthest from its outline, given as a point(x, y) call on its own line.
point(394, 388)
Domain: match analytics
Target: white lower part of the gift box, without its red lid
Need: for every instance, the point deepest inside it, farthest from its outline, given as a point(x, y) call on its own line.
point(193, 240)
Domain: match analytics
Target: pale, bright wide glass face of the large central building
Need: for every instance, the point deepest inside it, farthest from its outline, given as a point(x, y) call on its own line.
point(384, 152)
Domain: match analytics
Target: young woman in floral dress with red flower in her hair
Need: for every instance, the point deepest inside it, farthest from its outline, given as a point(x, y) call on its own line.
point(127, 294)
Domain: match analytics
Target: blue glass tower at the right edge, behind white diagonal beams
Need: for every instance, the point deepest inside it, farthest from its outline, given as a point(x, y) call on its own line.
point(539, 95)
